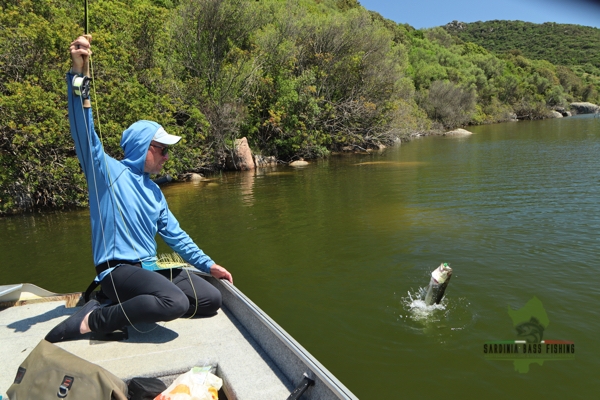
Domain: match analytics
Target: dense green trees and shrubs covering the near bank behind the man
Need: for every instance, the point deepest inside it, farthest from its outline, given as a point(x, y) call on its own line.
point(298, 78)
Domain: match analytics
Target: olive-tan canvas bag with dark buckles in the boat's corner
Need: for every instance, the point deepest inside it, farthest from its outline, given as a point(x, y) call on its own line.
point(50, 372)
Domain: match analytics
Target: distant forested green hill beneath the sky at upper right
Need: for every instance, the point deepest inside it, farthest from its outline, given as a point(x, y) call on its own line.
point(561, 44)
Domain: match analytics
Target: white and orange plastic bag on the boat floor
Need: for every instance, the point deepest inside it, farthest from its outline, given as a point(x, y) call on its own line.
point(196, 384)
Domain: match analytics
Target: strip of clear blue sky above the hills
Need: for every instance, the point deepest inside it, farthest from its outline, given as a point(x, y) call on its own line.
point(430, 13)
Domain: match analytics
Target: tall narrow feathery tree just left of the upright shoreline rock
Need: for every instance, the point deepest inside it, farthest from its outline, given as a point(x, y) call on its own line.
point(212, 54)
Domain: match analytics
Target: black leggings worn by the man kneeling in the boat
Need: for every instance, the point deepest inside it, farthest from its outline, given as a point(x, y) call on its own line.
point(144, 296)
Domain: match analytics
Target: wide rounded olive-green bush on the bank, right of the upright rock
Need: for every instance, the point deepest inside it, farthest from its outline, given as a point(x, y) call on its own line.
point(329, 80)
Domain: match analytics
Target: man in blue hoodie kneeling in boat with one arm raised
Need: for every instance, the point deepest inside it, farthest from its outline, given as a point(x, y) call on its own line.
point(127, 209)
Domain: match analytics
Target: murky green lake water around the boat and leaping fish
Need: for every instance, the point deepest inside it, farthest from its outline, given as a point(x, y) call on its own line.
point(336, 251)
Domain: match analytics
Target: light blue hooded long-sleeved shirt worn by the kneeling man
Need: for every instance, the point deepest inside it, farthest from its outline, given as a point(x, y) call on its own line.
point(127, 209)
